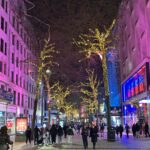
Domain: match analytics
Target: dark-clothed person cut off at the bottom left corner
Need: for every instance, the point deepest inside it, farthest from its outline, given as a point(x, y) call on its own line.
point(4, 139)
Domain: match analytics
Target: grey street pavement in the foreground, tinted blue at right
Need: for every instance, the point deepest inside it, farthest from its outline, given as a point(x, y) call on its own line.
point(102, 144)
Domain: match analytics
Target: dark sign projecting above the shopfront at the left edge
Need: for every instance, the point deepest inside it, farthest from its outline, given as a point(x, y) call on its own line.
point(5, 95)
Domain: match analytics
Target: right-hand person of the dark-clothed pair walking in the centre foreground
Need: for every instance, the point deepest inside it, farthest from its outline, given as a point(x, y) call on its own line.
point(94, 134)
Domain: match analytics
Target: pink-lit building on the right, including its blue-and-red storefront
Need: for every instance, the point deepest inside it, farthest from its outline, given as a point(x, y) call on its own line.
point(133, 31)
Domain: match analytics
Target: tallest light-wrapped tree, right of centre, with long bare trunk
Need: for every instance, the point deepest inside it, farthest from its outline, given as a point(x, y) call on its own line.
point(99, 43)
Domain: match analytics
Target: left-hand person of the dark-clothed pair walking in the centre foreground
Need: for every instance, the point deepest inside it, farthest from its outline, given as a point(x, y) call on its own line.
point(85, 133)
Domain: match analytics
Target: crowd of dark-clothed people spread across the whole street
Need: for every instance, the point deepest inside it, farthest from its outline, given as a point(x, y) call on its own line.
point(54, 133)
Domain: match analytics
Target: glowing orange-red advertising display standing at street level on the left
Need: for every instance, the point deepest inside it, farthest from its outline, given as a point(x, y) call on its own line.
point(21, 125)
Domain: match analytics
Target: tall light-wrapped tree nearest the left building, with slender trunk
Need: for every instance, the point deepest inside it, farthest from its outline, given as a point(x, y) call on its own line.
point(42, 64)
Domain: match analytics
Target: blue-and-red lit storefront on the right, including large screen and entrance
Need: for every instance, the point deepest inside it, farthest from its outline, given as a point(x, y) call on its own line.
point(136, 97)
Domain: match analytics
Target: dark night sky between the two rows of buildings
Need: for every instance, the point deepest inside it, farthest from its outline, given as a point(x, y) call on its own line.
point(68, 19)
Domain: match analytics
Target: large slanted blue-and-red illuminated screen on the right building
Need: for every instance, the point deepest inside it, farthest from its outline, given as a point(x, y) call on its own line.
point(136, 84)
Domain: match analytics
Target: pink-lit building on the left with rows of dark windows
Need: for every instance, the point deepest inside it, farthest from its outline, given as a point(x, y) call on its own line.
point(17, 77)
